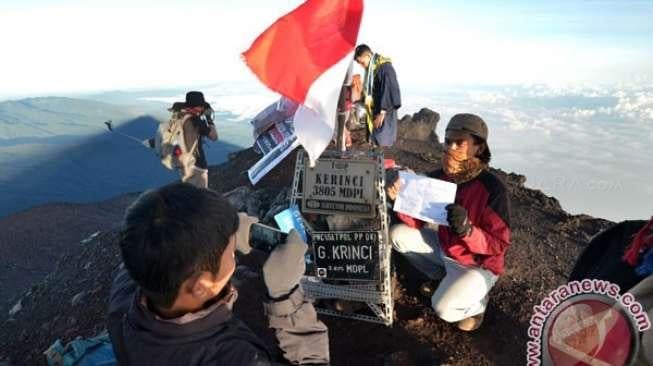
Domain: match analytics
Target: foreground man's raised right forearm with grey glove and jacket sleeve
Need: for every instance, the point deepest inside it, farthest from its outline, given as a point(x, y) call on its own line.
point(301, 336)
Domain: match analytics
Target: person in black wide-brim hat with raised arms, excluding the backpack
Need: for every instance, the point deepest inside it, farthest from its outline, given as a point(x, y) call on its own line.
point(199, 124)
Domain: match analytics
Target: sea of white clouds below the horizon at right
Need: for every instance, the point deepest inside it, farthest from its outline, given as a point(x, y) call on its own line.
point(586, 145)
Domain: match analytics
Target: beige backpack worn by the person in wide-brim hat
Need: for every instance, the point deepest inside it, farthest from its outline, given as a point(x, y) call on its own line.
point(170, 143)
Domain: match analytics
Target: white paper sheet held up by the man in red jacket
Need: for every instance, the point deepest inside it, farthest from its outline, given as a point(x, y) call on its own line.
point(424, 198)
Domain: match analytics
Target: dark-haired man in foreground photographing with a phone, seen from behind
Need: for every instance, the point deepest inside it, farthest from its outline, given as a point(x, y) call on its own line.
point(171, 303)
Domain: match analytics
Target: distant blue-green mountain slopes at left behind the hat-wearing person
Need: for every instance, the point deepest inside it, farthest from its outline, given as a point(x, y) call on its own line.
point(56, 149)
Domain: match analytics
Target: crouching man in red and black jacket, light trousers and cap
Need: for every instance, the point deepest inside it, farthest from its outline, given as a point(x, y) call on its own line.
point(470, 250)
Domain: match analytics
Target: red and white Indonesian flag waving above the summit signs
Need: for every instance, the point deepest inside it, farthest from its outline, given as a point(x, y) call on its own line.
point(304, 56)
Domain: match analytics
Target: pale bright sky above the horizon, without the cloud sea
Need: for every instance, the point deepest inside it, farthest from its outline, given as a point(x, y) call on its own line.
point(72, 45)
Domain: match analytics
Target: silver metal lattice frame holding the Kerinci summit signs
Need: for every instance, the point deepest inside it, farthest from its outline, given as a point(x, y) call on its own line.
point(377, 294)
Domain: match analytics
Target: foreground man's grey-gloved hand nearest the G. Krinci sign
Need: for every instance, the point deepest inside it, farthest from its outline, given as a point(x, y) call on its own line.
point(285, 266)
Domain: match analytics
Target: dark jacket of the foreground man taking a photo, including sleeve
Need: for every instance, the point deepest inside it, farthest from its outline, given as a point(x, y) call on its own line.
point(214, 337)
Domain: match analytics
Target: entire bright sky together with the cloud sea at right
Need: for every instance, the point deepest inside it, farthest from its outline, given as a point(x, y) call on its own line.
point(565, 86)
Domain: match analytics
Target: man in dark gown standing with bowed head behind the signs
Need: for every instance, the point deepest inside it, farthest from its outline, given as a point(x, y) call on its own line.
point(382, 95)
